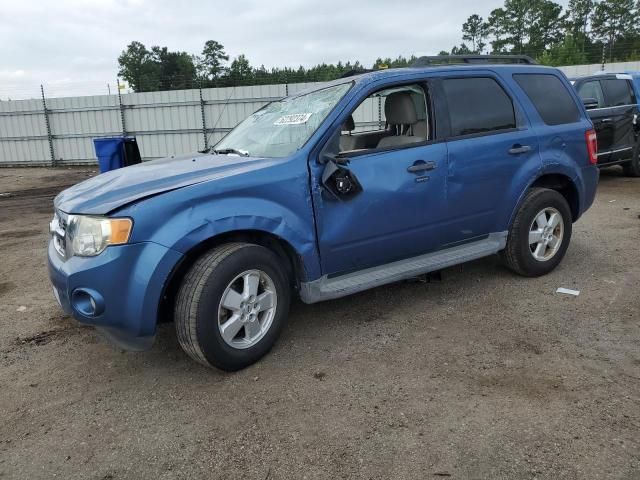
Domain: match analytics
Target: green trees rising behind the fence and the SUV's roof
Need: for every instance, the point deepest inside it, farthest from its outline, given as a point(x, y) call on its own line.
point(586, 31)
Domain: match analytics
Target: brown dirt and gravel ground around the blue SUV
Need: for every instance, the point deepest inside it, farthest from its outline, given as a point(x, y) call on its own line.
point(482, 375)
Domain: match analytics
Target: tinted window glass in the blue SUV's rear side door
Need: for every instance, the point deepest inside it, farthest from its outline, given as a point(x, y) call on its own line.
point(478, 105)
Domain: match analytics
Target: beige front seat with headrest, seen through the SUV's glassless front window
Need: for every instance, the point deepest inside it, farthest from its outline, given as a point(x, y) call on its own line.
point(401, 115)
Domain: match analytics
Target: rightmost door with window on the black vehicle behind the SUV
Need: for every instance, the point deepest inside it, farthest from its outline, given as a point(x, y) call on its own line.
point(621, 107)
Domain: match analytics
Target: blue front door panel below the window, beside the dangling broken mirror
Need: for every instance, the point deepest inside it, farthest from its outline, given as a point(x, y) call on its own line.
point(398, 214)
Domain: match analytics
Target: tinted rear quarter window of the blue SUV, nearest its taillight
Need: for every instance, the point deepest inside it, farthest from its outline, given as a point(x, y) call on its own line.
point(550, 97)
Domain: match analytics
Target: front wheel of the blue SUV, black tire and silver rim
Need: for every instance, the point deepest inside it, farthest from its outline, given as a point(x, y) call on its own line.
point(200, 313)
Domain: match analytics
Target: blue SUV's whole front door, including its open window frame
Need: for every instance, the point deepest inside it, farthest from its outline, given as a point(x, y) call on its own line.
point(399, 209)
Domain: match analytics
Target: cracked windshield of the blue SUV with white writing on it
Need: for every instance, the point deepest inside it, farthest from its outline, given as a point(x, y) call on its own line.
point(282, 127)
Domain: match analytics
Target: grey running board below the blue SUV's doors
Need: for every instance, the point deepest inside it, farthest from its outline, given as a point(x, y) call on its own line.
point(326, 288)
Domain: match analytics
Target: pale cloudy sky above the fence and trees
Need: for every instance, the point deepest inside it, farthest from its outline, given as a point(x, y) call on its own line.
point(72, 46)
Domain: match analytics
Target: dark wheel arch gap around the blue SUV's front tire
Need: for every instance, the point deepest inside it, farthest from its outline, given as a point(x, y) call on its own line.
point(292, 260)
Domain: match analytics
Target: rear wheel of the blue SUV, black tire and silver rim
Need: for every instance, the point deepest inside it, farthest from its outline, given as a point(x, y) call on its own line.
point(541, 257)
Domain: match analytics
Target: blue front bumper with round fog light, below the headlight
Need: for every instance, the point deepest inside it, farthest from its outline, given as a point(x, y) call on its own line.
point(126, 284)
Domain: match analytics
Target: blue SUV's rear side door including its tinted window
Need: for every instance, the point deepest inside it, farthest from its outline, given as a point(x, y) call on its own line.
point(489, 141)
